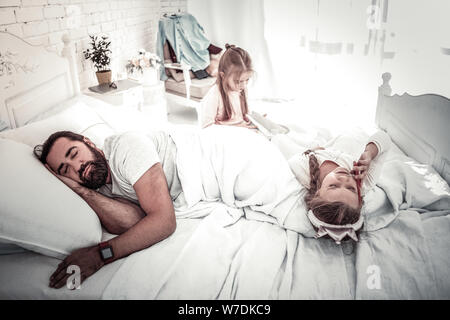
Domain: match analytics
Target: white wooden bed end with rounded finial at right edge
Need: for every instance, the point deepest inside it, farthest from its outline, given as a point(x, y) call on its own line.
point(419, 125)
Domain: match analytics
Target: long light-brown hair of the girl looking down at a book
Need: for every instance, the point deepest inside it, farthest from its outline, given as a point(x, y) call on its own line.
point(234, 61)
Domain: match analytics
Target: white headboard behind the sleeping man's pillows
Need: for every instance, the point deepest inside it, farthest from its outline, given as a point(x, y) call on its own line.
point(33, 79)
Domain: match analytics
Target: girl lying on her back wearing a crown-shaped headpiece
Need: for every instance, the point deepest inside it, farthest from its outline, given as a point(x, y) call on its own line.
point(336, 184)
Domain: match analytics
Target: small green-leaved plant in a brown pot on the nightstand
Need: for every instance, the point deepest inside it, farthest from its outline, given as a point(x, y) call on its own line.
point(99, 55)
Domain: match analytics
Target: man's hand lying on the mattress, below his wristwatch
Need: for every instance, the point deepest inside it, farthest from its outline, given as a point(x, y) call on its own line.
point(87, 259)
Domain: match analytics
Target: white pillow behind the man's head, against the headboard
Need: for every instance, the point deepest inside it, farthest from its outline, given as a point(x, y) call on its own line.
point(78, 118)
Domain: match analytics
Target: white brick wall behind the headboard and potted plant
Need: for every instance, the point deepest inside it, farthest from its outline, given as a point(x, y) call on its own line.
point(130, 24)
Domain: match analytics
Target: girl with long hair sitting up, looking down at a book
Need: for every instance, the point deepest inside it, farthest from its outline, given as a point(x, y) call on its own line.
point(226, 101)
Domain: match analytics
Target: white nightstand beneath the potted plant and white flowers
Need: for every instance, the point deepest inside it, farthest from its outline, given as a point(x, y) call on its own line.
point(128, 94)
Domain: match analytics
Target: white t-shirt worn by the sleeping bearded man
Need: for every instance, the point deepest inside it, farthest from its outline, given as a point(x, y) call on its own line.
point(131, 154)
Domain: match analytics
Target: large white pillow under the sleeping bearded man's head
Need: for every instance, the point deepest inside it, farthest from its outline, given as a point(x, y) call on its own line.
point(37, 211)
